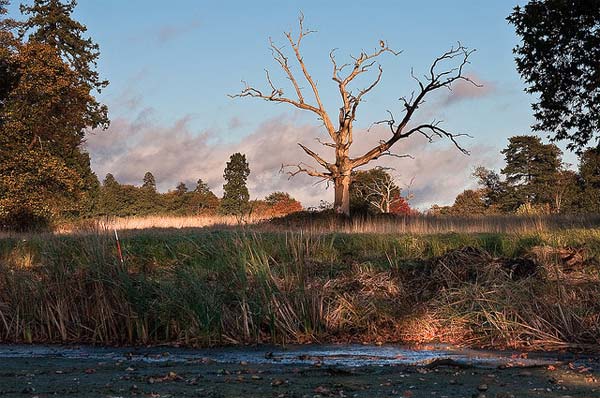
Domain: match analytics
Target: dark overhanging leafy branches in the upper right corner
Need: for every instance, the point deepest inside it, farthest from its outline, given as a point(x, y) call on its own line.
point(558, 59)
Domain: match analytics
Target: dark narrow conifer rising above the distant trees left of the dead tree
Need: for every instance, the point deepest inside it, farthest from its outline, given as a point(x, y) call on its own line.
point(235, 192)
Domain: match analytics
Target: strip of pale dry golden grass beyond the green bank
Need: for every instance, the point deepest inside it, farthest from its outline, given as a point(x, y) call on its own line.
point(329, 223)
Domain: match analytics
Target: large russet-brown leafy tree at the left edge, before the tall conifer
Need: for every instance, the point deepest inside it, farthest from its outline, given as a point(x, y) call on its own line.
point(40, 117)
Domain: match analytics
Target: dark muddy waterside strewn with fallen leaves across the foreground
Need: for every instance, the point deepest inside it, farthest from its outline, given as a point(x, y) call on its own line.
point(318, 371)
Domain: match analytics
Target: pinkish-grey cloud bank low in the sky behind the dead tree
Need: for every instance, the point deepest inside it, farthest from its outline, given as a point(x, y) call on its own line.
point(176, 153)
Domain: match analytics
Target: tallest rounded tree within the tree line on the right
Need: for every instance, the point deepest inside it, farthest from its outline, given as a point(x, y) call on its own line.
point(531, 167)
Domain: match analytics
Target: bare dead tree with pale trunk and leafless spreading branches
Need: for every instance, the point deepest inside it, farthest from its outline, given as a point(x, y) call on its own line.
point(341, 131)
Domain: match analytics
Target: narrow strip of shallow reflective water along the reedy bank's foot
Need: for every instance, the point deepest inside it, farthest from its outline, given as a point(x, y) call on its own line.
point(339, 355)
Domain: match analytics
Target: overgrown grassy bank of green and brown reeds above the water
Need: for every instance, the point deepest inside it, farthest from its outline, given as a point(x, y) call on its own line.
point(537, 290)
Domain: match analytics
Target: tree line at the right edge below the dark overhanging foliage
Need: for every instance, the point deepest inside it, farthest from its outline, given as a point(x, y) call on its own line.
point(534, 180)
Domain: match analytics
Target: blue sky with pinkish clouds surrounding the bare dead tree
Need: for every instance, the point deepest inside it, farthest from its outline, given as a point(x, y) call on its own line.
point(172, 65)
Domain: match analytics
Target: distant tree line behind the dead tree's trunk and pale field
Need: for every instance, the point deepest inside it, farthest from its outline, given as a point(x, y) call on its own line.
point(372, 191)
